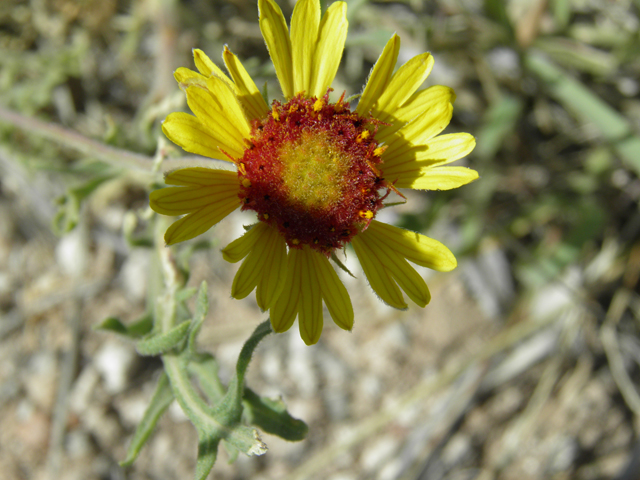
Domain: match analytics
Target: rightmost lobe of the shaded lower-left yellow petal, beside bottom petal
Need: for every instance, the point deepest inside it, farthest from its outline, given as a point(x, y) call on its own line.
point(274, 270)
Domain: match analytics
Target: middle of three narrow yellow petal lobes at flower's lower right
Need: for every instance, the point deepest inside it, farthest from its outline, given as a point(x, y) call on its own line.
point(404, 274)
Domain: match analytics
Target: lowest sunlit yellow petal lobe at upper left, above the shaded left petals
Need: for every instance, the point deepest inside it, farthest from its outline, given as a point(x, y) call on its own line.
point(193, 136)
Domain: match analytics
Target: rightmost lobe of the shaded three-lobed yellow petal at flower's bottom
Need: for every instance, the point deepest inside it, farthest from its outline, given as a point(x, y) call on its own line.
point(333, 292)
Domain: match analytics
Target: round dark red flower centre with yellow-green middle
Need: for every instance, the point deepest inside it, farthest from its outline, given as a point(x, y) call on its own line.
point(310, 171)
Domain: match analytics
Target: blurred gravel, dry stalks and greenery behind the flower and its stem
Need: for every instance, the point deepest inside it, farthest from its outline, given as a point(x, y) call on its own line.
point(525, 365)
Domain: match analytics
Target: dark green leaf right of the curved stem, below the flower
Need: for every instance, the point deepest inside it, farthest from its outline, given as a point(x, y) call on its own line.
point(271, 416)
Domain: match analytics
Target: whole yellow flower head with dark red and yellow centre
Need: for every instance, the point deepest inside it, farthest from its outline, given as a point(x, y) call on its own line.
point(316, 173)
